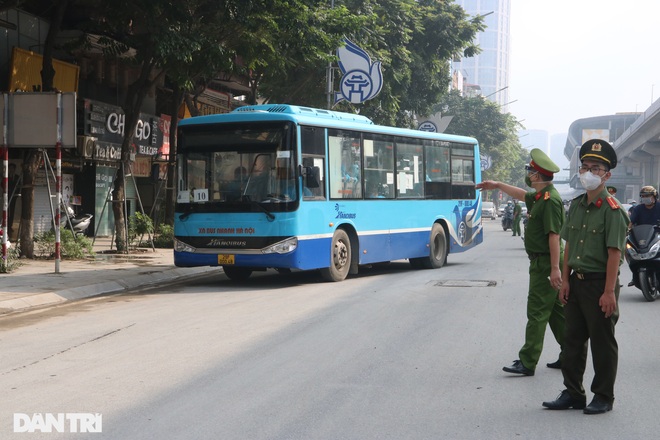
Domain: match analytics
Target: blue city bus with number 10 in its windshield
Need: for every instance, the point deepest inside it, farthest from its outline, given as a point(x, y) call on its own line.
point(296, 188)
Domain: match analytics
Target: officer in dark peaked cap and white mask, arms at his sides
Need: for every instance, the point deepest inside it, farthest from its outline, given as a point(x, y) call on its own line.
point(595, 235)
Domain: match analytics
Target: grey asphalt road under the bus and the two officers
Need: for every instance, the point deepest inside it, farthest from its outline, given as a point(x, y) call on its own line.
point(393, 353)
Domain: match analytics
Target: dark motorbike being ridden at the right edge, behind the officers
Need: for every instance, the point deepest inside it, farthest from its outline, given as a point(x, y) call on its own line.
point(643, 257)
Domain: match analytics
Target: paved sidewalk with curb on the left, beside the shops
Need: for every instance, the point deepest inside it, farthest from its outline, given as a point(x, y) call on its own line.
point(35, 283)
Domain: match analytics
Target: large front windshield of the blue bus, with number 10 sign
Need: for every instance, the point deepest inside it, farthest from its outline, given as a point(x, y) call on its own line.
point(236, 166)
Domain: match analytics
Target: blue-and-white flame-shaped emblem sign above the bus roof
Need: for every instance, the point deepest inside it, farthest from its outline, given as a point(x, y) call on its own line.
point(362, 79)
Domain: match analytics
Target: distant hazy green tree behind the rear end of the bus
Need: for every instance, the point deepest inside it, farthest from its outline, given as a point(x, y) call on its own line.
point(496, 132)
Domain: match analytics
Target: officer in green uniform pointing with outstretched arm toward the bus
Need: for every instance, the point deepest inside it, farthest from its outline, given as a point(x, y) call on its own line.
point(545, 220)
